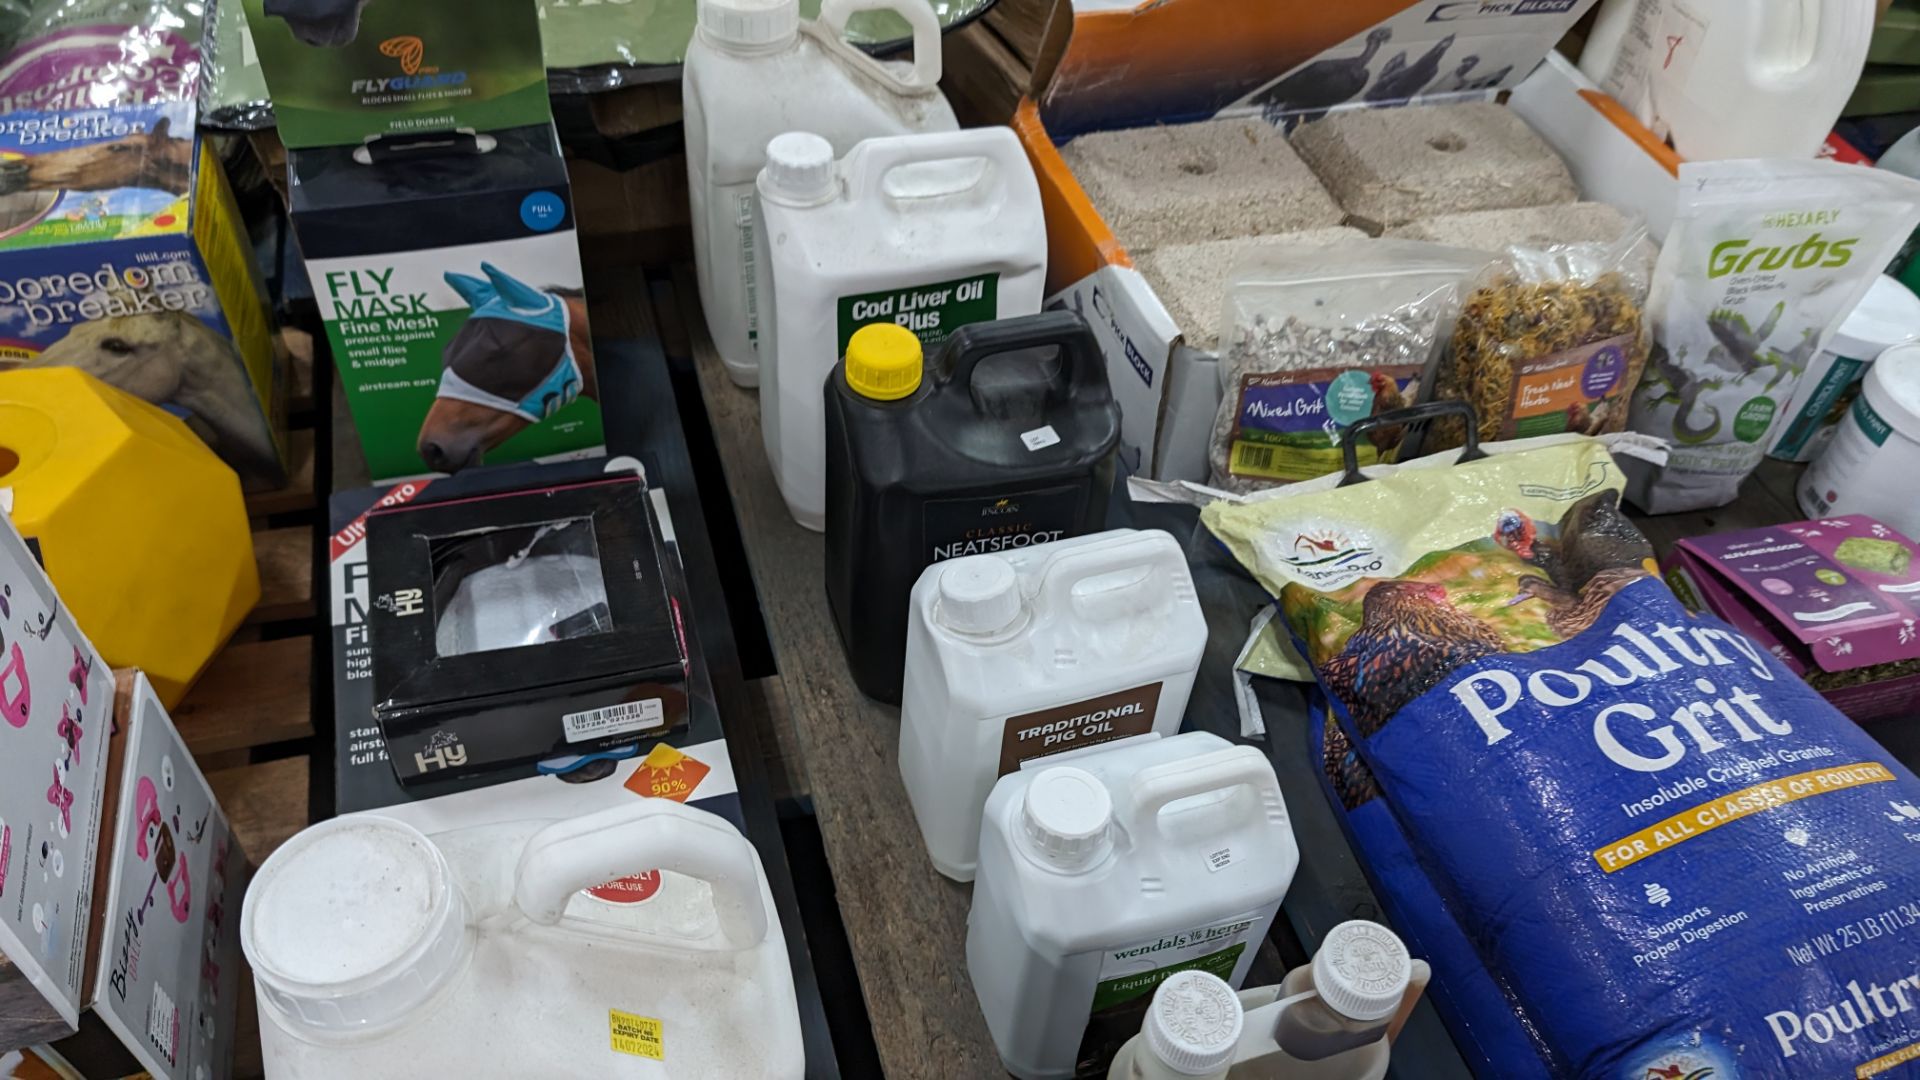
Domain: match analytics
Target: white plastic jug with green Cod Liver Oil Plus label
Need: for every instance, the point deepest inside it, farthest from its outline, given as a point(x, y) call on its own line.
point(928, 232)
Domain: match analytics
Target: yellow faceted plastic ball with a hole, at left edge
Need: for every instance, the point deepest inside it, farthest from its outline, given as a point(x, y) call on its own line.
point(137, 522)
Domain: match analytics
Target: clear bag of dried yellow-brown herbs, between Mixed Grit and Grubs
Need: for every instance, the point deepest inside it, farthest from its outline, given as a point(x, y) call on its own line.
point(1550, 341)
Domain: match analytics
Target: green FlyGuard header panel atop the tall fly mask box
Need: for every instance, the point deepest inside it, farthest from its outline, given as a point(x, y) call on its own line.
point(343, 72)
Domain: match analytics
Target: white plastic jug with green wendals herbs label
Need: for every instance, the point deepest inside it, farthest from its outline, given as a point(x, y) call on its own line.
point(1105, 873)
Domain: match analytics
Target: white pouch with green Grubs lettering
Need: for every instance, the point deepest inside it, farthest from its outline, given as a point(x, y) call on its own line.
point(1765, 260)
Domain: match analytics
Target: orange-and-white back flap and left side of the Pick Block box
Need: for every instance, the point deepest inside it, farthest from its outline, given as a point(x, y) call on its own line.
point(1186, 61)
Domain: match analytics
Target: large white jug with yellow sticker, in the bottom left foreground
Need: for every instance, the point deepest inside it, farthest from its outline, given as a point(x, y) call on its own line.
point(383, 952)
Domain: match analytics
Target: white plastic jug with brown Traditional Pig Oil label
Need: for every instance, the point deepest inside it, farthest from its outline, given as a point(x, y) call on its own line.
point(1034, 652)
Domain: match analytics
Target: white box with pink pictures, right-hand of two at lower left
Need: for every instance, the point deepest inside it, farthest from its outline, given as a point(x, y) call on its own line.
point(164, 950)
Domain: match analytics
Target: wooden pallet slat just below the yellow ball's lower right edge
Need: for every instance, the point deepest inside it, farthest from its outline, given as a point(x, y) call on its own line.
point(252, 695)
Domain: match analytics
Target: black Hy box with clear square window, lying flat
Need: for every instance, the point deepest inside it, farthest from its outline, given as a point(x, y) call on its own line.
point(523, 626)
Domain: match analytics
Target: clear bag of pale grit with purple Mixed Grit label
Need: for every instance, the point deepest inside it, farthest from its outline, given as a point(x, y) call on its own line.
point(1316, 339)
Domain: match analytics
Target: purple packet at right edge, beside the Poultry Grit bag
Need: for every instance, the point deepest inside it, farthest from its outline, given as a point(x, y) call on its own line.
point(1838, 601)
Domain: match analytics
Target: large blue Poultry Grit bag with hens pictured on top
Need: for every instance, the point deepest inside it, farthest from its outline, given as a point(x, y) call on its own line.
point(1673, 856)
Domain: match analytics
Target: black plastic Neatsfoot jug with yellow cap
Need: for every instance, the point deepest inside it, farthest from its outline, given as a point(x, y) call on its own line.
point(1007, 443)
